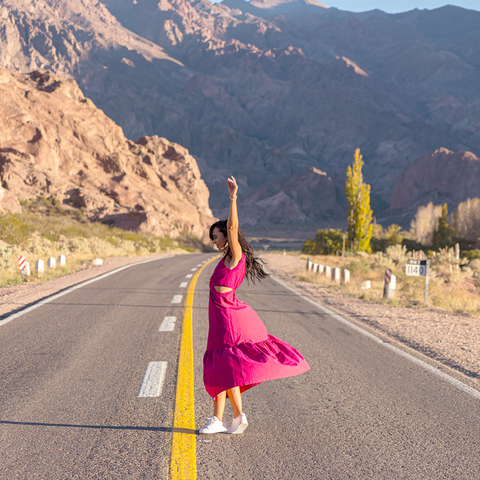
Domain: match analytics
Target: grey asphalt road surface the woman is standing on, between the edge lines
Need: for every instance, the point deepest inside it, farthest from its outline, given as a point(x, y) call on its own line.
point(71, 371)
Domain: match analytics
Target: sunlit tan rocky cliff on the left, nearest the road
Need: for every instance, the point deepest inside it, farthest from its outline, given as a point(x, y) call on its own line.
point(55, 143)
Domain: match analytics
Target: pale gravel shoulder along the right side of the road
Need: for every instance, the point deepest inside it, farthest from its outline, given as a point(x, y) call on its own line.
point(448, 337)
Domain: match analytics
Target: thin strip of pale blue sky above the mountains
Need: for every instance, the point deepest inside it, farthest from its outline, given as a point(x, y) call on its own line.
point(396, 6)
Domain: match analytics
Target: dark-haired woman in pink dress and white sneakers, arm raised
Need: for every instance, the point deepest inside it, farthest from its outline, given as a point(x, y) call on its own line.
point(240, 353)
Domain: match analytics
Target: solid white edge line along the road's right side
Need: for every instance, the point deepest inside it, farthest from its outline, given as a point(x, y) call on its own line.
point(457, 383)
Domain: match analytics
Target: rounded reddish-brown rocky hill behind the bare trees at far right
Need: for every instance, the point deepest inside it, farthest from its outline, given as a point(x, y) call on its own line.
point(440, 176)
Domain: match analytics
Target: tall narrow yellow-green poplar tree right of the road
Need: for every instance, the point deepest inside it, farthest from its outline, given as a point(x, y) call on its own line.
point(359, 215)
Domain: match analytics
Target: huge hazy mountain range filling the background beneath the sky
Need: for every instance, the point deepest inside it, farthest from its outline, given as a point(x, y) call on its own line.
point(268, 89)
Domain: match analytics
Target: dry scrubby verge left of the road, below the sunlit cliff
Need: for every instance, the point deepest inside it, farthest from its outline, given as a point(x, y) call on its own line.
point(50, 231)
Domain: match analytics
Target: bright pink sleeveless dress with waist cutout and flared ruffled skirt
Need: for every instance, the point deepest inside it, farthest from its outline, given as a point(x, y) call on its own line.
point(240, 352)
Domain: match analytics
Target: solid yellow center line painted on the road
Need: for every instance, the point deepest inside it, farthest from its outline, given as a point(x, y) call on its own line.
point(183, 463)
